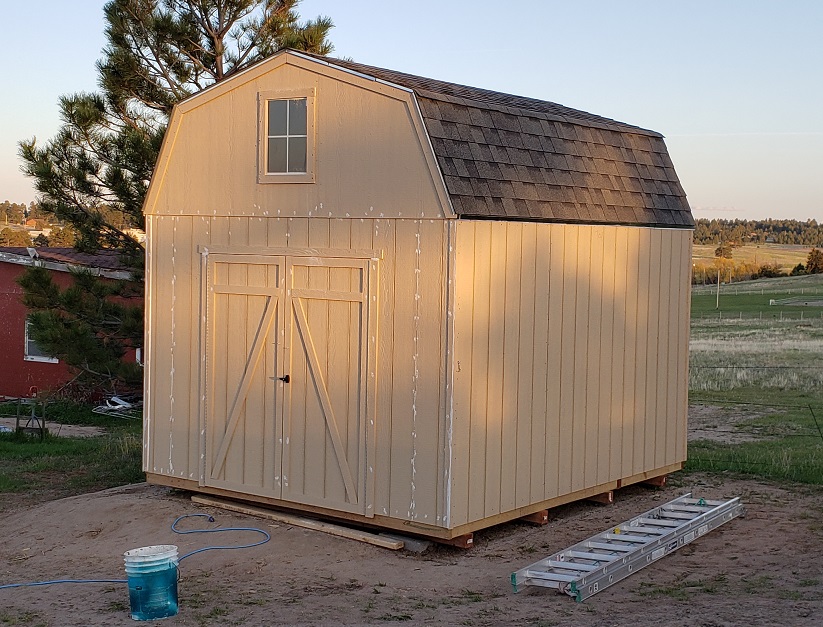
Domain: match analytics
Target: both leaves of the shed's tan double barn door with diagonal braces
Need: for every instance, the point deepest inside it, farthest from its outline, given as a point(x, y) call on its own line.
point(285, 398)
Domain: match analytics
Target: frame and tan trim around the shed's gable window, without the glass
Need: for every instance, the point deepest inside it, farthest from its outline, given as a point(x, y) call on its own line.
point(263, 98)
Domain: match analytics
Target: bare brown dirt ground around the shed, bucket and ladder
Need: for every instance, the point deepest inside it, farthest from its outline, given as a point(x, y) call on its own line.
point(763, 569)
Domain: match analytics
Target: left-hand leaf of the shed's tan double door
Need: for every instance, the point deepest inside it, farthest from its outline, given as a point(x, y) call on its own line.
point(243, 350)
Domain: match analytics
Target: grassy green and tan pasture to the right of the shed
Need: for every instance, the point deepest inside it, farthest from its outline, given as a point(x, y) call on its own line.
point(775, 365)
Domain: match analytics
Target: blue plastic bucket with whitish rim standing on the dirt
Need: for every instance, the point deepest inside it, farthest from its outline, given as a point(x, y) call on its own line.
point(152, 577)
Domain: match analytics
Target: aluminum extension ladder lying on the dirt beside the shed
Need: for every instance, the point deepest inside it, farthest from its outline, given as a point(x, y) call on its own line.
point(590, 566)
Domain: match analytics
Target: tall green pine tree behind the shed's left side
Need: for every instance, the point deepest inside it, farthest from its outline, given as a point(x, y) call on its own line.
point(94, 174)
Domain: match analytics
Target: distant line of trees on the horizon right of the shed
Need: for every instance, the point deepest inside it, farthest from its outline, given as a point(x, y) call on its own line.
point(741, 232)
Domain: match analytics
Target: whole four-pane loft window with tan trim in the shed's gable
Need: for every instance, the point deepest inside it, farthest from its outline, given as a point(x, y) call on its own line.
point(286, 139)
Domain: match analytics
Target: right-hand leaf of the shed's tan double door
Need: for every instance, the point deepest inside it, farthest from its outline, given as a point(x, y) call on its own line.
point(325, 428)
